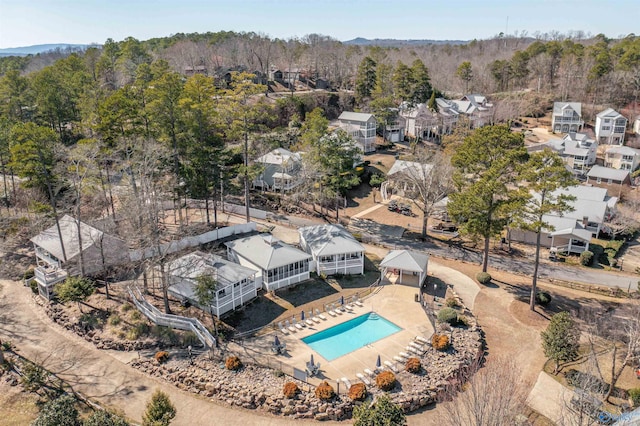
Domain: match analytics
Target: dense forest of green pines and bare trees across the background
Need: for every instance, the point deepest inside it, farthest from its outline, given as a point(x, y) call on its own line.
point(135, 112)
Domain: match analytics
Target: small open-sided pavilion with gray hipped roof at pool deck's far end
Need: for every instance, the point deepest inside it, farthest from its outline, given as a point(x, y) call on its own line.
point(404, 267)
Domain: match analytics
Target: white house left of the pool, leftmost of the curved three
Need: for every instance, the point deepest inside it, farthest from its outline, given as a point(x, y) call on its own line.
point(236, 284)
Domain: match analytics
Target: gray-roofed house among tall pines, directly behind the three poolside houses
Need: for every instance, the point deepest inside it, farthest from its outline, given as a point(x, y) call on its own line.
point(281, 170)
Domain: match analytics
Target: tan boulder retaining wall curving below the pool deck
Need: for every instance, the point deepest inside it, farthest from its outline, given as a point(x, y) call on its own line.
point(260, 388)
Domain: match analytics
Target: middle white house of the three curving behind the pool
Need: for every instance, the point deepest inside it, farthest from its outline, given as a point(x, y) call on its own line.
point(277, 264)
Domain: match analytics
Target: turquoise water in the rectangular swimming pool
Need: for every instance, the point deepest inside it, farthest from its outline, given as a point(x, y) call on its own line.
point(343, 338)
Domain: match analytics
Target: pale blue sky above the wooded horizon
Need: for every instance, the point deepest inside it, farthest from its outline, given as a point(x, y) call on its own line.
point(29, 22)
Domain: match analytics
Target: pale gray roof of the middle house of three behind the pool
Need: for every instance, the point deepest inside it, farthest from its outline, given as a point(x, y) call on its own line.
point(266, 251)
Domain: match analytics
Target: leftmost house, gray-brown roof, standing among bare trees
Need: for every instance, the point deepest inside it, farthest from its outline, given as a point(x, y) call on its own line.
point(56, 261)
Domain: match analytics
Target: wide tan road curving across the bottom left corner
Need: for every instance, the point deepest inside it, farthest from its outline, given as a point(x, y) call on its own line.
point(99, 375)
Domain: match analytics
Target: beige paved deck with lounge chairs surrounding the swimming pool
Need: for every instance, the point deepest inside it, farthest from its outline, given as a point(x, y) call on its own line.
point(393, 302)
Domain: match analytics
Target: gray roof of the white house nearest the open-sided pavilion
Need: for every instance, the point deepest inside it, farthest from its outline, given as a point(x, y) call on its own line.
point(328, 240)
